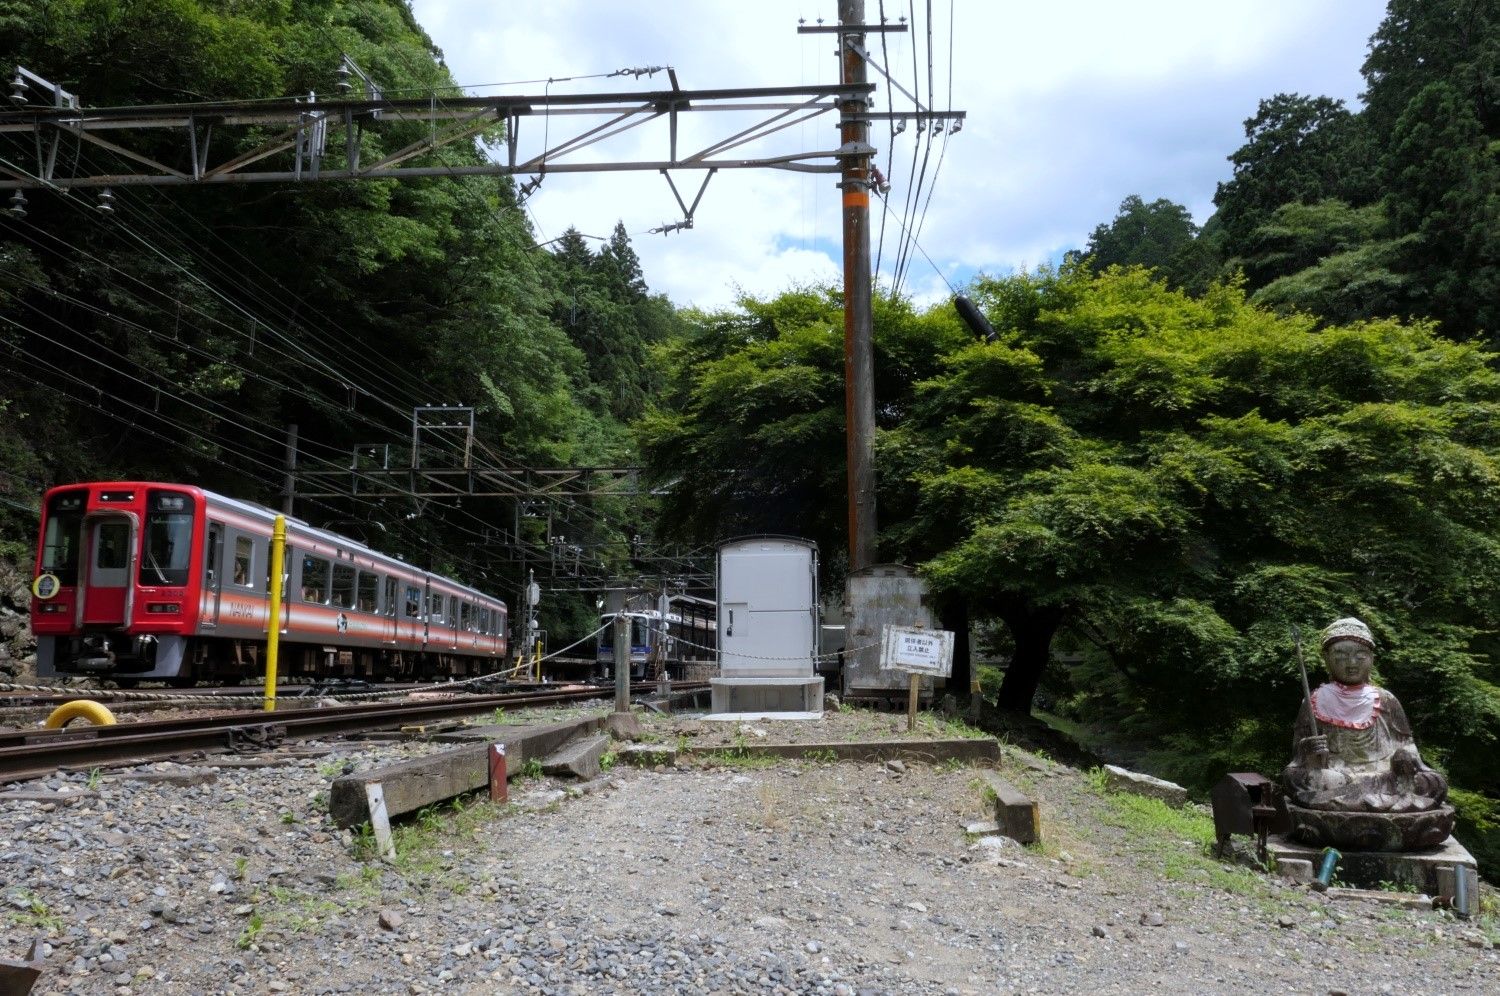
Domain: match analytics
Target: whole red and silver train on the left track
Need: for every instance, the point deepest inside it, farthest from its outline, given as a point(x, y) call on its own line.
point(170, 583)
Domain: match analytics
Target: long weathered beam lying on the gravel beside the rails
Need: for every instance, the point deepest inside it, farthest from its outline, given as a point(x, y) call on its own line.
point(412, 785)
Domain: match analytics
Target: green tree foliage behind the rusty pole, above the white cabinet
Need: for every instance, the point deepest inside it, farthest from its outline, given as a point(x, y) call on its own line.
point(749, 431)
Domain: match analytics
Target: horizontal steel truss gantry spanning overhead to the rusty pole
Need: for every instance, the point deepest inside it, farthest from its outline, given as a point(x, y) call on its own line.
point(227, 142)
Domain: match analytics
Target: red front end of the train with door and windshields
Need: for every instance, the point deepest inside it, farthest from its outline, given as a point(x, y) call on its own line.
point(116, 580)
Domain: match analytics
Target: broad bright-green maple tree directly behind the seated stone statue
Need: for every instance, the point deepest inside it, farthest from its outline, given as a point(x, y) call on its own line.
point(1178, 482)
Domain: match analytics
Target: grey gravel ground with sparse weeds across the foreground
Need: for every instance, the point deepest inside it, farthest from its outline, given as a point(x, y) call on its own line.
point(787, 878)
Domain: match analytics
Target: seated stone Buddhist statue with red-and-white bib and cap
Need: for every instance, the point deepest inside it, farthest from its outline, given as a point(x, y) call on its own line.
point(1357, 781)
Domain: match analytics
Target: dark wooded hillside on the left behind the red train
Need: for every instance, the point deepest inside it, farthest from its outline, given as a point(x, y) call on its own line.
point(179, 335)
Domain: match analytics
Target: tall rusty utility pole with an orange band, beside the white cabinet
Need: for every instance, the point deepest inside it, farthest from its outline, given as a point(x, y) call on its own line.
point(859, 325)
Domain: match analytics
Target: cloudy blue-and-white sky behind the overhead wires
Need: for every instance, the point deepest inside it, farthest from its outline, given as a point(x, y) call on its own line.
point(1072, 107)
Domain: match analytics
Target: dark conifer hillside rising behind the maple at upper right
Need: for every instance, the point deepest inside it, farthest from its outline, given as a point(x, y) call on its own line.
point(1387, 211)
